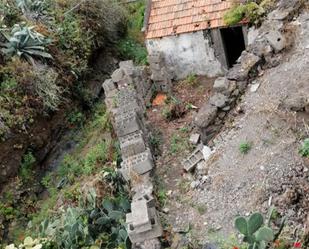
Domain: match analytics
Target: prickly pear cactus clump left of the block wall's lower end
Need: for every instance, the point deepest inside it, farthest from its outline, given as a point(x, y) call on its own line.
point(92, 223)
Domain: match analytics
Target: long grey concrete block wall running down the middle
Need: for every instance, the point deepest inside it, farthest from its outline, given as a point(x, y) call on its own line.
point(126, 95)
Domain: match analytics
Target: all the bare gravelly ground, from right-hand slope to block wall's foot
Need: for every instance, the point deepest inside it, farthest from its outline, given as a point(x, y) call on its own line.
point(273, 118)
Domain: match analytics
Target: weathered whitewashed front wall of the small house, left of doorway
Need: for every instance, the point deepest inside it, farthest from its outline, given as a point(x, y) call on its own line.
point(187, 53)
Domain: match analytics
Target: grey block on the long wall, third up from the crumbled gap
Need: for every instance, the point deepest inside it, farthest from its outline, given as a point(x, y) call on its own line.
point(127, 123)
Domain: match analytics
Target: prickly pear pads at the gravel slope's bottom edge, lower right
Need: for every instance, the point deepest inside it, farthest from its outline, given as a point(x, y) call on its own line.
point(255, 233)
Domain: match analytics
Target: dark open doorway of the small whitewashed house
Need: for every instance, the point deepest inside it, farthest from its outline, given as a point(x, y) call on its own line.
point(234, 43)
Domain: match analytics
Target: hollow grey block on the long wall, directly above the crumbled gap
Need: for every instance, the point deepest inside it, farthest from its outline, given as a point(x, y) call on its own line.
point(140, 163)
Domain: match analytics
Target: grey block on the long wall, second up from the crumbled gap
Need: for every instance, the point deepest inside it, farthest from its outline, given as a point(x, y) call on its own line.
point(132, 144)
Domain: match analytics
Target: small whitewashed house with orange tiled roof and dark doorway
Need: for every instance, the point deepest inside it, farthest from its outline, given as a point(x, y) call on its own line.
point(192, 36)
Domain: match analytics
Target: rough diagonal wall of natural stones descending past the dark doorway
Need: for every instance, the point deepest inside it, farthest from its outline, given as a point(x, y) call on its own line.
point(264, 47)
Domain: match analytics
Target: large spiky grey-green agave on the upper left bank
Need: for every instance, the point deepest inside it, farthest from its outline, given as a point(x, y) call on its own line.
point(25, 42)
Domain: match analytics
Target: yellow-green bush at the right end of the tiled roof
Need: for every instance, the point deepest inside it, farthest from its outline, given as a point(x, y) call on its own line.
point(251, 12)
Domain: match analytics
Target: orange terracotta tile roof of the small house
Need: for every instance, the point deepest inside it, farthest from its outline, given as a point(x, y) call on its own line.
point(169, 17)
